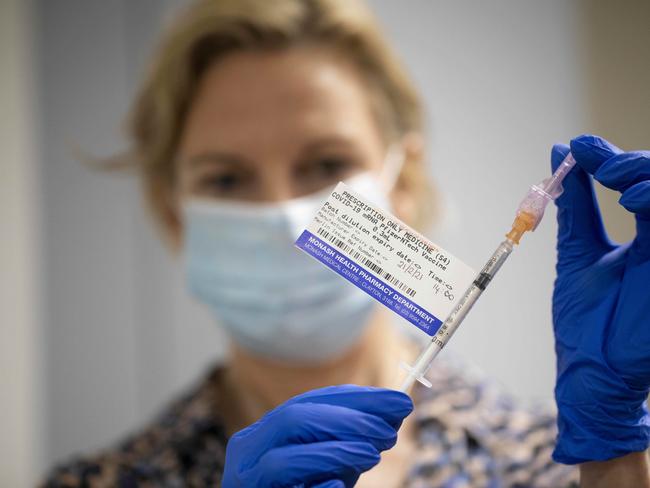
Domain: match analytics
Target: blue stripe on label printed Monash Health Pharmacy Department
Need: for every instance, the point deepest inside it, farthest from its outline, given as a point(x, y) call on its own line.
point(368, 282)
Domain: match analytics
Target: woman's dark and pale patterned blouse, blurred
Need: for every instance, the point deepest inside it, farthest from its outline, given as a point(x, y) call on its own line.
point(468, 433)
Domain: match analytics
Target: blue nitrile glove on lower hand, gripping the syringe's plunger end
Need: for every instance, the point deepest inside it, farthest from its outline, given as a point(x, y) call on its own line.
point(322, 438)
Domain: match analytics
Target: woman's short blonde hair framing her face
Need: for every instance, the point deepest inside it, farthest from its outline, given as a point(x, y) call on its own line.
point(211, 29)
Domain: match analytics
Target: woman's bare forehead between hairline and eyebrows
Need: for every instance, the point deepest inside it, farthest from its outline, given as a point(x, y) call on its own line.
point(278, 98)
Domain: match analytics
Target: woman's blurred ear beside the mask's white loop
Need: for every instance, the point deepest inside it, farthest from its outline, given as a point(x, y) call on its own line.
point(405, 193)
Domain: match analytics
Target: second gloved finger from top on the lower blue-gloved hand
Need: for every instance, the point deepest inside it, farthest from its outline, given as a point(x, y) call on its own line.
point(306, 423)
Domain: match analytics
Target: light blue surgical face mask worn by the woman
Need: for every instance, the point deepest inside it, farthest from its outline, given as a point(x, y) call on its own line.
point(272, 298)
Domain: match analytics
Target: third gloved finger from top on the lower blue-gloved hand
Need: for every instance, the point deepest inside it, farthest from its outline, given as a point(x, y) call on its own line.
point(310, 463)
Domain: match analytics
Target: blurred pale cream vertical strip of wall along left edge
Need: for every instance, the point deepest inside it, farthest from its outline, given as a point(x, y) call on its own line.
point(20, 419)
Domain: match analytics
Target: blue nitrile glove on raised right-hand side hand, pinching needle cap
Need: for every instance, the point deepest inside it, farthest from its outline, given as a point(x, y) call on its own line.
point(601, 308)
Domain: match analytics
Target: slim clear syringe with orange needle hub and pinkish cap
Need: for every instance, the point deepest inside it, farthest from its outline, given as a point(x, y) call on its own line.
point(529, 214)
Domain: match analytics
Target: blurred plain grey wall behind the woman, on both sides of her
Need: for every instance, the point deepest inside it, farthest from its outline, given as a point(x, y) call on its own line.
point(502, 81)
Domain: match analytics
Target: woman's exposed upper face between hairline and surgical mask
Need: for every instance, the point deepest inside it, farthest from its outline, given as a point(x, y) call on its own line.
point(270, 126)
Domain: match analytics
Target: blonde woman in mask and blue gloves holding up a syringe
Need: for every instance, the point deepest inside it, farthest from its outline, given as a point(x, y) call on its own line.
point(253, 109)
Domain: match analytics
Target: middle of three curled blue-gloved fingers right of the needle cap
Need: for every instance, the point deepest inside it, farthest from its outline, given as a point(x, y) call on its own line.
point(623, 170)
